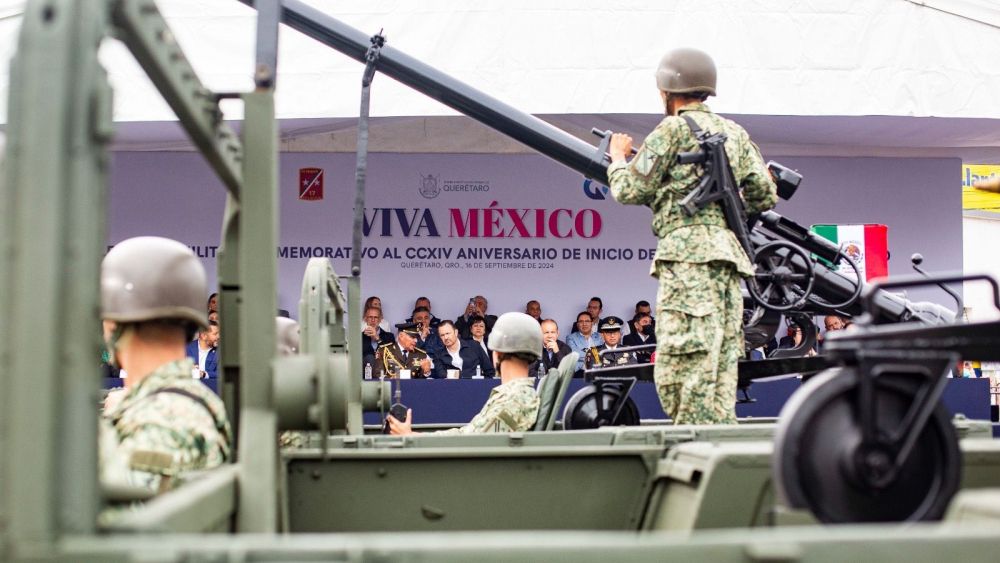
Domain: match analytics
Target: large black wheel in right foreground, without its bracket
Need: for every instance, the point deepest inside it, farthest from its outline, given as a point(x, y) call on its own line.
point(820, 463)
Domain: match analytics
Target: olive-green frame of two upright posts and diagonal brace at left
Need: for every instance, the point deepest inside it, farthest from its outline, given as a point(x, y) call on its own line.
point(55, 194)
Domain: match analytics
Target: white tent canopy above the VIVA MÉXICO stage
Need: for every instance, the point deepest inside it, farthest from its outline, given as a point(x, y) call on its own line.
point(928, 70)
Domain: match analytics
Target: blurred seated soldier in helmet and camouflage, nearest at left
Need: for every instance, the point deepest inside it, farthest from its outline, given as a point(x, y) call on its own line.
point(165, 423)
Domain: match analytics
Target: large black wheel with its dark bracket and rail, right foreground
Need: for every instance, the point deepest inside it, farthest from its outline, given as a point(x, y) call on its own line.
point(876, 421)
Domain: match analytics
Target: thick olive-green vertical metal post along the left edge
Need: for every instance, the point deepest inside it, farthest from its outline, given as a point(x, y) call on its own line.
point(53, 239)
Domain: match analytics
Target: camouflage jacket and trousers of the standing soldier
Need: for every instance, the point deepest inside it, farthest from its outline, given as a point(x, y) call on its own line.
point(698, 263)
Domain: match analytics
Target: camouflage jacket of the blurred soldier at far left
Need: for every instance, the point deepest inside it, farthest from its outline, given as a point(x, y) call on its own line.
point(158, 431)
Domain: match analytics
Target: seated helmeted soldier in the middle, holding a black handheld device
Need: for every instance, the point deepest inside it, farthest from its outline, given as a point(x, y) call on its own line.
point(516, 342)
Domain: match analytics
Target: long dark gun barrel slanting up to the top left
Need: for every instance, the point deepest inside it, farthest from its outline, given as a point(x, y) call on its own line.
point(516, 124)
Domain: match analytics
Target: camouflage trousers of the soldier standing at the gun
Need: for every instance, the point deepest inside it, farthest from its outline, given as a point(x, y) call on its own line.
point(699, 339)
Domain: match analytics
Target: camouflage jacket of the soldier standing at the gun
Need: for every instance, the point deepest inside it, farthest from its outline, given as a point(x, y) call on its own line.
point(654, 179)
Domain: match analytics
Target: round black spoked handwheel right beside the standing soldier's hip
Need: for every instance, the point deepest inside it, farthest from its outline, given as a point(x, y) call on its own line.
point(779, 283)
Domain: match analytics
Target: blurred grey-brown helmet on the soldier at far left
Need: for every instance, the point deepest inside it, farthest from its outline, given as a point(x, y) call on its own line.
point(148, 278)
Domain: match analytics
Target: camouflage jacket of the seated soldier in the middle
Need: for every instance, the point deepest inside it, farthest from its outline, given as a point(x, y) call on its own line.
point(512, 407)
